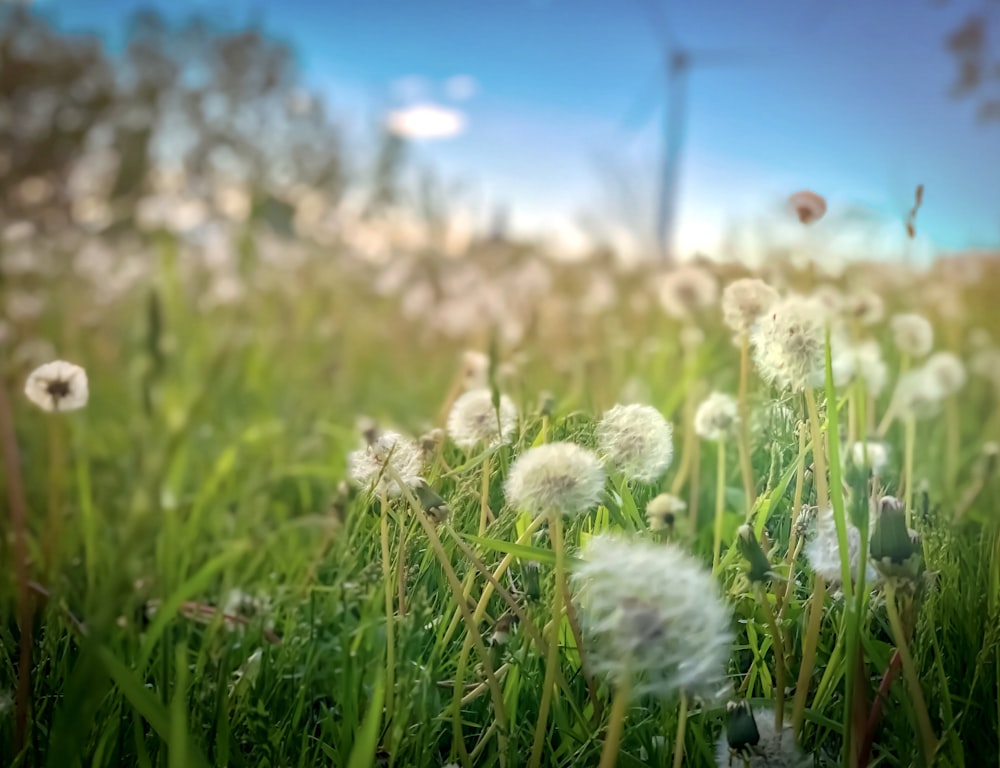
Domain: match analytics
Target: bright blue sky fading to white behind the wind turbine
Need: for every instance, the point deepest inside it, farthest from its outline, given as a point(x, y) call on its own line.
point(849, 98)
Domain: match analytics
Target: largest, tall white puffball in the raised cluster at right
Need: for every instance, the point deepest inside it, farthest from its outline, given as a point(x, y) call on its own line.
point(790, 343)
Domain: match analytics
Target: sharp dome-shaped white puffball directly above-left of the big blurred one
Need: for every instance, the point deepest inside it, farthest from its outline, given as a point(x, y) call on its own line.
point(557, 479)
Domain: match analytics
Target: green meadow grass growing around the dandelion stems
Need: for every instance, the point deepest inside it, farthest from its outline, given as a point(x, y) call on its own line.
point(210, 458)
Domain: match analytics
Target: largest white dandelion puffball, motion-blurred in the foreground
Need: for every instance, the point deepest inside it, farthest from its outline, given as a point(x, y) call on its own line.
point(653, 617)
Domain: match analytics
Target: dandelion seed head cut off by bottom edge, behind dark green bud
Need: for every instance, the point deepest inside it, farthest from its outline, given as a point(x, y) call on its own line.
point(754, 741)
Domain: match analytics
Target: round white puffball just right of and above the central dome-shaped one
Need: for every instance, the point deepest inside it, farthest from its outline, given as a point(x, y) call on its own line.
point(637, 441)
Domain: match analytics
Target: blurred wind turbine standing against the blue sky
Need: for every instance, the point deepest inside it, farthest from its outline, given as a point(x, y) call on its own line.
point(678, 61)
